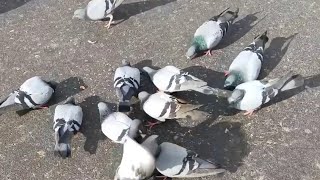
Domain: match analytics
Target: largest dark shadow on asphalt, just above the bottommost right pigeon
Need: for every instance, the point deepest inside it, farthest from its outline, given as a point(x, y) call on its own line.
point(224, 143)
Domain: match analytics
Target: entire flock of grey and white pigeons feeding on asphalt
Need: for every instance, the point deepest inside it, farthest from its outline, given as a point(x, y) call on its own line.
point(139, 160)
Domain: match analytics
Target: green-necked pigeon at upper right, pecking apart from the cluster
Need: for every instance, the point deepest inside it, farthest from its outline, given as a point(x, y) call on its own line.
point(210, 33)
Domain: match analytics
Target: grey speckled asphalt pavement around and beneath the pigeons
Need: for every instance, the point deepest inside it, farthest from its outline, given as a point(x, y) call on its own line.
point(38, 37)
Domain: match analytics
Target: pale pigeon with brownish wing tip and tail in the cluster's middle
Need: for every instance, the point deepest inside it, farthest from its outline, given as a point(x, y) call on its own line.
point(162, 106)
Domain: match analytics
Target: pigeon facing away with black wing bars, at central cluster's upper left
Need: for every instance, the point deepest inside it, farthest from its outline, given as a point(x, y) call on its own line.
point(126, 82)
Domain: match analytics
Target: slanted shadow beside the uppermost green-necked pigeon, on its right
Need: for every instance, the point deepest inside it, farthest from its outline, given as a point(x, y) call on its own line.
point(239, 29)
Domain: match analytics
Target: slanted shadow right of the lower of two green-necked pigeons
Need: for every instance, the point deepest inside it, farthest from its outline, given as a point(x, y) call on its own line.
point(274, 53)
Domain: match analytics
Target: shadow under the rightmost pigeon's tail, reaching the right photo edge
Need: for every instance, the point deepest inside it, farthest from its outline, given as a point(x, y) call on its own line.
point(309, 83)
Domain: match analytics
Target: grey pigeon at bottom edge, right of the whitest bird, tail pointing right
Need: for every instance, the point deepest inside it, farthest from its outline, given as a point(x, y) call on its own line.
point(176, 161)
